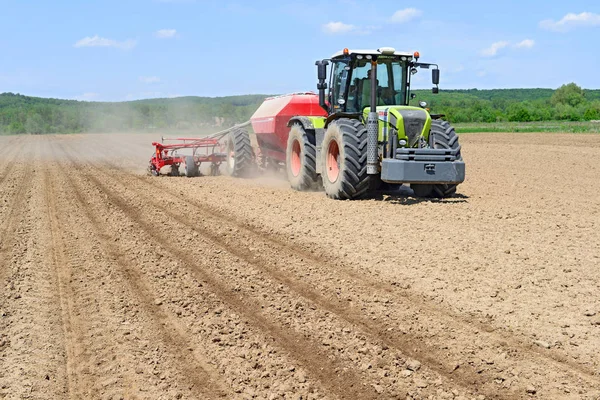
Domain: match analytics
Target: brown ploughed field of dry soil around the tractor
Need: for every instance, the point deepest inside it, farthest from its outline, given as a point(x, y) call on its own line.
point(115, 284)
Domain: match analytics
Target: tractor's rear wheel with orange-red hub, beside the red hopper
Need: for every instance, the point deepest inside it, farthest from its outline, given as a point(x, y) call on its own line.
point(301, 159)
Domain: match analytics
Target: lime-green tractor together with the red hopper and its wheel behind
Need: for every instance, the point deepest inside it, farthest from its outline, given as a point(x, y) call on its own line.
point(358, 133)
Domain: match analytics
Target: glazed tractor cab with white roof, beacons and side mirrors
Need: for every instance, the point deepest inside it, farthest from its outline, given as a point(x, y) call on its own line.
point(358, 75)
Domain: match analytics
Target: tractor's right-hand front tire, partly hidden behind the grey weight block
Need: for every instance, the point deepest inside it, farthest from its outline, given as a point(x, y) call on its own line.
point(441, 136)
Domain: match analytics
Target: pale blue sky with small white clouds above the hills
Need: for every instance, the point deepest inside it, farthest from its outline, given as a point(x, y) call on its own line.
point(133, 49)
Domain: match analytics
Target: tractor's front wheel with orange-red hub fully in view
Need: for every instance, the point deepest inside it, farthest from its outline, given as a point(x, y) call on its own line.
point(344, 160)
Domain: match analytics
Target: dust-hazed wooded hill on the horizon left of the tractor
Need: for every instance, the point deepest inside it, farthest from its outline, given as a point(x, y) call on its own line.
point(24, 114)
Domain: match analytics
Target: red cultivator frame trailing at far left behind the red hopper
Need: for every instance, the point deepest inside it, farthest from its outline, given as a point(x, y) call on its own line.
point(166, 154)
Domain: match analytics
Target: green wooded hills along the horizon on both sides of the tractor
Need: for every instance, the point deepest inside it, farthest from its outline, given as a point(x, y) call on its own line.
point(24, 114)
